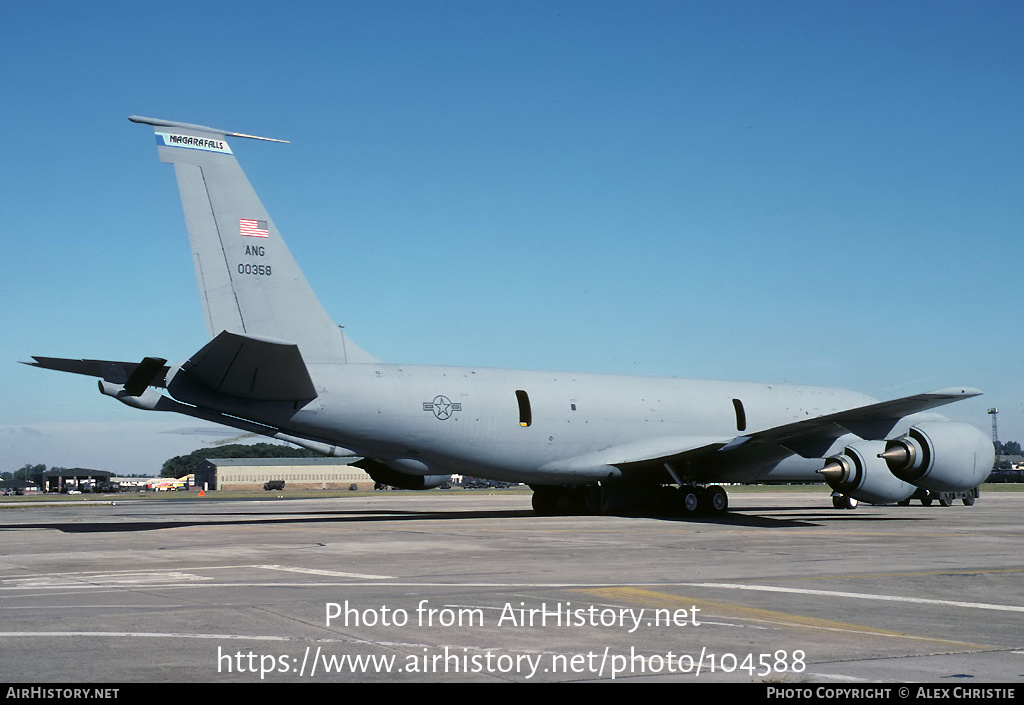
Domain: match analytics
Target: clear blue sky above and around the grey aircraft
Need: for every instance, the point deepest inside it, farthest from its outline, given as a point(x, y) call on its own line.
point(821, 193)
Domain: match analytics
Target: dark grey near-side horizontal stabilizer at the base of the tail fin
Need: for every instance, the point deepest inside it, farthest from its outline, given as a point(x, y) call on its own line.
point(252, 368)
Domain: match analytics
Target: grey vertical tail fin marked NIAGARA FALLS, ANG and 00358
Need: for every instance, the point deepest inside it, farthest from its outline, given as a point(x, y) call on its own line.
point(248, 280)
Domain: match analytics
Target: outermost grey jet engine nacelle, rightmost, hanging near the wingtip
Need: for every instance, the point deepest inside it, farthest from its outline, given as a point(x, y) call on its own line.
point(942, 455)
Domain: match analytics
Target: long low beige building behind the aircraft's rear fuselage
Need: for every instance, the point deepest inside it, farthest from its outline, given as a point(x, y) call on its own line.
point(252, 474)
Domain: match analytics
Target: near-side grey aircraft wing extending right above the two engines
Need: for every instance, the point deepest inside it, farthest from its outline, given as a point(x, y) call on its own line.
point(810, 438)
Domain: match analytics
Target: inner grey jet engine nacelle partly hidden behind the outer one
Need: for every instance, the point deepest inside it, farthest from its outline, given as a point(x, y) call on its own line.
point(861, 474)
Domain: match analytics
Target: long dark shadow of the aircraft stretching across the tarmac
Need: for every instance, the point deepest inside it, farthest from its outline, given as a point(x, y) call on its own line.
point(122, 525)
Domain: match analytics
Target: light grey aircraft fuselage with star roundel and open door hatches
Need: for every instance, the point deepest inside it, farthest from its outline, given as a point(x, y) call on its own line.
point(537, 427)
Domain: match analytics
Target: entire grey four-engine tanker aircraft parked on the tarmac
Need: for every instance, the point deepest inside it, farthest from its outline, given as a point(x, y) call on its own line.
point(277, 365)
